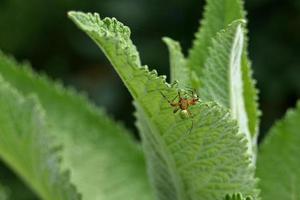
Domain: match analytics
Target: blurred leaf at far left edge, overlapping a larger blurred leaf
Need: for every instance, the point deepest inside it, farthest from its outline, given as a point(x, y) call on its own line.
point(26, 146)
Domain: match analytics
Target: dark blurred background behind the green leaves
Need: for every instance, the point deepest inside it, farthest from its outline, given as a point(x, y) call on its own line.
point(39, 31)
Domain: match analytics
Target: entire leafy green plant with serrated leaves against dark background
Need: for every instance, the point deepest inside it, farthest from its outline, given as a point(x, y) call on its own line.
point(209, 154)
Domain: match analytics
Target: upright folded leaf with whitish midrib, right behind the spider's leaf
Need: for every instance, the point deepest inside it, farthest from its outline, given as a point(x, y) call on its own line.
point(222, 76)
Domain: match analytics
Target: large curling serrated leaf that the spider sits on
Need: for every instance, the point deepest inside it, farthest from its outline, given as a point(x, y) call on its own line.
point(202, 157)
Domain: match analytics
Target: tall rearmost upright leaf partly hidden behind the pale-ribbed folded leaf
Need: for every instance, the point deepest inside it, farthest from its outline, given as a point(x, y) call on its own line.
point(217, 16)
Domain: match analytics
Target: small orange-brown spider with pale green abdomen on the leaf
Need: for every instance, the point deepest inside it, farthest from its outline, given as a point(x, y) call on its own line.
point(184, 102)
